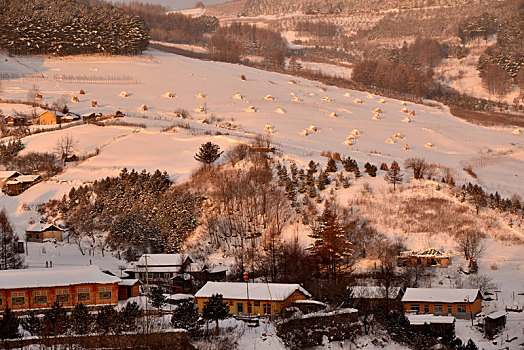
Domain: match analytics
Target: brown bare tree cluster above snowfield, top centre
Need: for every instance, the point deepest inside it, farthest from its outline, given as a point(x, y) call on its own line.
point(232, 43)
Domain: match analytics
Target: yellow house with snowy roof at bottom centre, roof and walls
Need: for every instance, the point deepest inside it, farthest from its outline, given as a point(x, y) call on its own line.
point(252, 298)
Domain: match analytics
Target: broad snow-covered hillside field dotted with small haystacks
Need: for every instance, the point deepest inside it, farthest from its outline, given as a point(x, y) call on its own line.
point(294, 110)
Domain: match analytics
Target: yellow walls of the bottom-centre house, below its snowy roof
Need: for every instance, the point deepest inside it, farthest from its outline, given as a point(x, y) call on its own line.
point(276, 306)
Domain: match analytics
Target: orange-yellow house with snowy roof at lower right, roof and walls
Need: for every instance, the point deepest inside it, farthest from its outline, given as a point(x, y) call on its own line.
point(461, 303)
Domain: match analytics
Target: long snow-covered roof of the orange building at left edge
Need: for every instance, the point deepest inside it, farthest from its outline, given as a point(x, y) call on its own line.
point(54, 277)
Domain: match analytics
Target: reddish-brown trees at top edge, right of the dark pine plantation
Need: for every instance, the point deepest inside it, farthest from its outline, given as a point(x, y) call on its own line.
point(171, 26)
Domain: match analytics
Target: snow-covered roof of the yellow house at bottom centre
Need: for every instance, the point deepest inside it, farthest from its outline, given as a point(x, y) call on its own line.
point(257, 291)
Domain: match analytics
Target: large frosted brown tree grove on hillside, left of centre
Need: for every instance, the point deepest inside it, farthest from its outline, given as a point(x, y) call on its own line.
point(139, 210)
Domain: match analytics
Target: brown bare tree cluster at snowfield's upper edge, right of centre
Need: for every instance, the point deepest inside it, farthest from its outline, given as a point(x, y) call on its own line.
point(391, 76)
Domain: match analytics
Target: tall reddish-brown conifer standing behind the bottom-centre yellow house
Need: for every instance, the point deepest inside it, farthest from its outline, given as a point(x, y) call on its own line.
point(330, 246)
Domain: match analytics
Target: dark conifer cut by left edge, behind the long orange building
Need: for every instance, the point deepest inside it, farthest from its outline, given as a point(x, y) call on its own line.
point(9, 256)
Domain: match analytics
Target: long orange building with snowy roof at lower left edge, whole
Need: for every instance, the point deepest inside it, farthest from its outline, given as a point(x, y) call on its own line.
point(28, 289)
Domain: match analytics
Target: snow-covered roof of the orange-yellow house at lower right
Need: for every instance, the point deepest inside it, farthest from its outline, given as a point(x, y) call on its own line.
point(442, 295)
